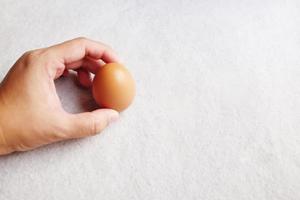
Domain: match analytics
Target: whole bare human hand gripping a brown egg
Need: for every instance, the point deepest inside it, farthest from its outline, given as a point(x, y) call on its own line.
point(31, 114)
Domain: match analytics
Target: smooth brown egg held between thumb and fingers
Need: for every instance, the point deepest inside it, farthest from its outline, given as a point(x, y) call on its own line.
point(113, 87)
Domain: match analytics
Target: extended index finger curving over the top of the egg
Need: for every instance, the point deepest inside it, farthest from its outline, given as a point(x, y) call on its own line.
point(79, 48)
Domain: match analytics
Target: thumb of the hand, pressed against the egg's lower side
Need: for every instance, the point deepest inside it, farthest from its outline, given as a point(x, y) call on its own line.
point(91, 123)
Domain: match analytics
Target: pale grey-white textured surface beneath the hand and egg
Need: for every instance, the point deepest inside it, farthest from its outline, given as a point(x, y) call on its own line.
point(217, 109)
